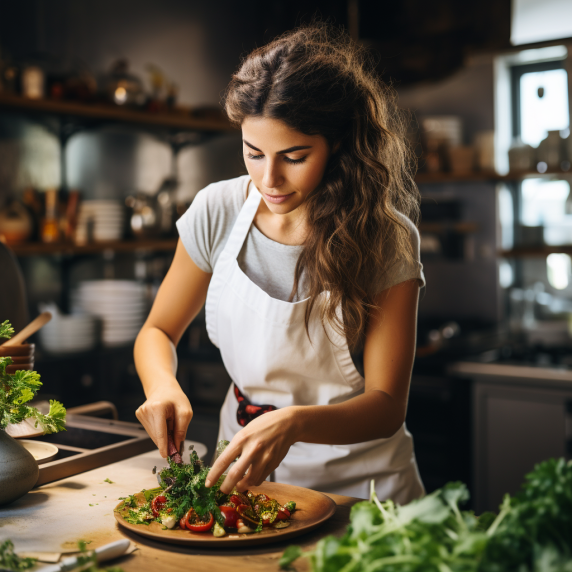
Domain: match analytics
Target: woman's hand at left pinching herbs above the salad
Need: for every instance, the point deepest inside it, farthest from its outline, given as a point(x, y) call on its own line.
point(167, 410)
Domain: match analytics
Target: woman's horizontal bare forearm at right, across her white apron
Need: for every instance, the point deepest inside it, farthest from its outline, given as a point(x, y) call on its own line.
point(372, 415)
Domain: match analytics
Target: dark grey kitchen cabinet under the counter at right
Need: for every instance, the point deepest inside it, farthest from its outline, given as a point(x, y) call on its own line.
point(515, 427)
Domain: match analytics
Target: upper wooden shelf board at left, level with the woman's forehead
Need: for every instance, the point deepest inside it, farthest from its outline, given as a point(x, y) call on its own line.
point(174, 120)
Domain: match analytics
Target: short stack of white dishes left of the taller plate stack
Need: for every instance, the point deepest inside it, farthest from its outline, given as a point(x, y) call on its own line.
point(69, 334)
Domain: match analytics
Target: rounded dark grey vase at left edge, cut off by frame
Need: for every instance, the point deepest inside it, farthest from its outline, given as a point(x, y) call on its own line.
point(18, 469)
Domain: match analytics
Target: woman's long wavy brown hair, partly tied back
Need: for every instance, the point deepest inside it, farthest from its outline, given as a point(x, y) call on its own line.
point(319, 82)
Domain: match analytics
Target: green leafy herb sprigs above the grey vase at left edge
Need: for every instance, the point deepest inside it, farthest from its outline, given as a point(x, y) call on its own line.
point(17, 389)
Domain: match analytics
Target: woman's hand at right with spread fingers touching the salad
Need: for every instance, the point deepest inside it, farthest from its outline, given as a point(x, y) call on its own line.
point(261, 445)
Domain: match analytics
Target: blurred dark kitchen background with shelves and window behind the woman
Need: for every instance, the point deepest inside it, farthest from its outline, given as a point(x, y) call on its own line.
point(110, 123)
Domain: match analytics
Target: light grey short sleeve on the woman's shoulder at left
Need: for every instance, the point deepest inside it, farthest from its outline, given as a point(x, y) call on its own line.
point(193, 229)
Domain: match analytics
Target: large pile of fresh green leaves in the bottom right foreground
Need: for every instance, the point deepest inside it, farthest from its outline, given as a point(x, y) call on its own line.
point(532, 532)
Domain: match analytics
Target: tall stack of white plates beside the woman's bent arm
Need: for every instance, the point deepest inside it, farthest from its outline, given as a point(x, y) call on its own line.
point(120, 304)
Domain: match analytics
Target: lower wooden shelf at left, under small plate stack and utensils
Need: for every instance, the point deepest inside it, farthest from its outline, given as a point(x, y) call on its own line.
point(68, 248)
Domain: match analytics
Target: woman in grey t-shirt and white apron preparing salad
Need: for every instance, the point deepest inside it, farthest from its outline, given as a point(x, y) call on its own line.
point(310, 255)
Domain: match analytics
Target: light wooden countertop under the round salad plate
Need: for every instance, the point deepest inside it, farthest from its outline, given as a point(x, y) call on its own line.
point(53, 517)
